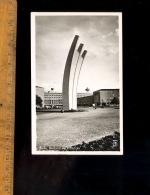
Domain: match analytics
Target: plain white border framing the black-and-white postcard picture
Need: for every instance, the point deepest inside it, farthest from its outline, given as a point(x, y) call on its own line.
point(33, 81)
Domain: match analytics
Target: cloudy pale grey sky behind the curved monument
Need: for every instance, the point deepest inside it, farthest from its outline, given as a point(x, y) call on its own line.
point(99, 34)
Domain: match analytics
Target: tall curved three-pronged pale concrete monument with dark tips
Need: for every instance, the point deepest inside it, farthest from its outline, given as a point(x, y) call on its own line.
point(71, 75)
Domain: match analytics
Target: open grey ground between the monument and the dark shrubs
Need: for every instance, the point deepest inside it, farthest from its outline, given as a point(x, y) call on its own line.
point(71, 128)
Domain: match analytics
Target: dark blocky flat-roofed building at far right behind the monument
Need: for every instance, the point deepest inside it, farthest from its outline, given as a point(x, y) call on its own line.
point(105, 96)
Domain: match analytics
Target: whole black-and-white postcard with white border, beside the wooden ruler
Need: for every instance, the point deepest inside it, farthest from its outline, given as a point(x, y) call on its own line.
point(76, 83)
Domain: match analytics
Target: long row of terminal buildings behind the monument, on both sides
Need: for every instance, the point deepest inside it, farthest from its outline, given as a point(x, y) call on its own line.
point(99, 97)
